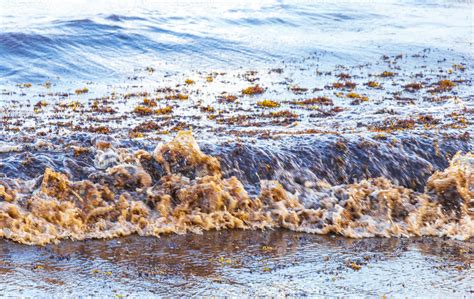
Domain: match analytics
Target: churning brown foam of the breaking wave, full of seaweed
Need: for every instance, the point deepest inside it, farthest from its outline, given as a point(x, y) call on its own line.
point(177, 189)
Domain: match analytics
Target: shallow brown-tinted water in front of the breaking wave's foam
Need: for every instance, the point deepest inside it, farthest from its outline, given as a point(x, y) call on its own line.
point(234, 263)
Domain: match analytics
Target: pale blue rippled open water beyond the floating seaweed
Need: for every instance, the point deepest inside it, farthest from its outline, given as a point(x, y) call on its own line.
point(106, 41)
